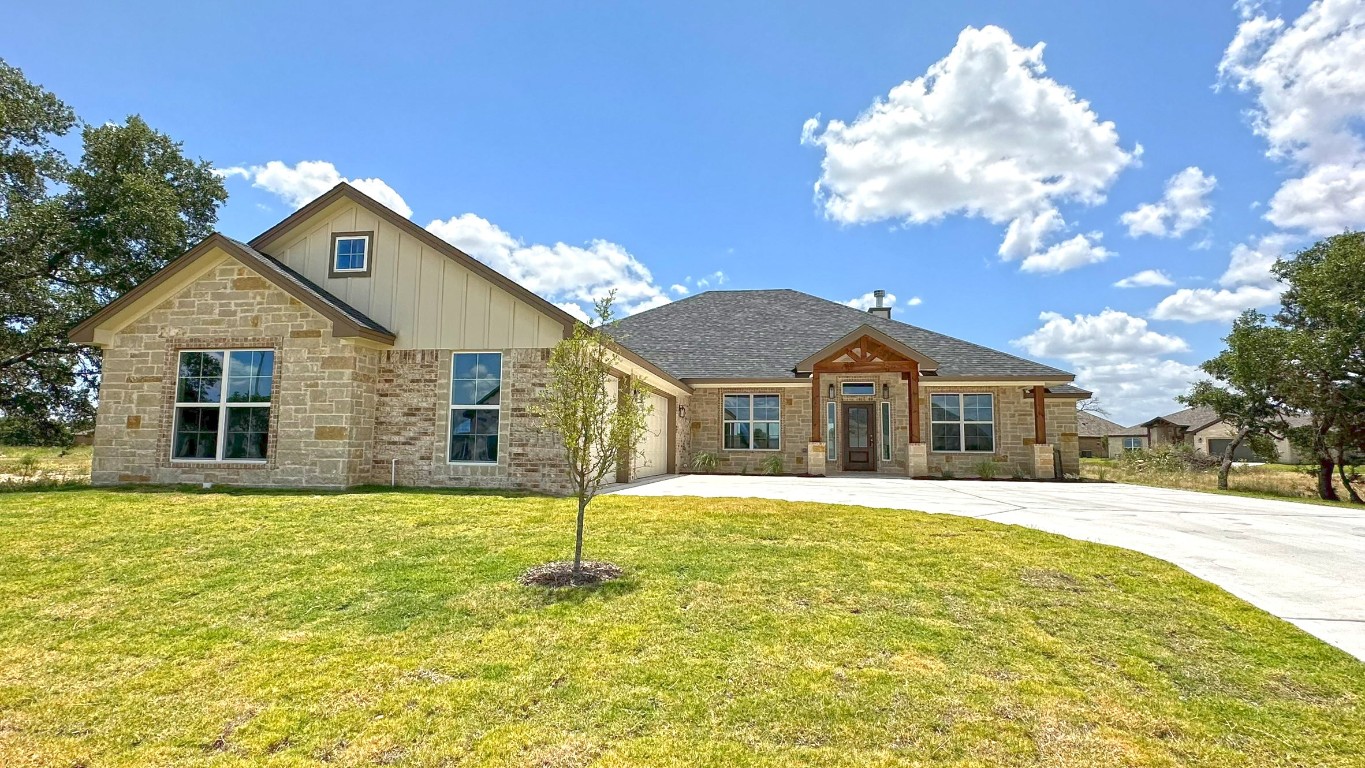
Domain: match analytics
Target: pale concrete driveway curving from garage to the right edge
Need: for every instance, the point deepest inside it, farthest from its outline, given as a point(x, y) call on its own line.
point(1302, 563)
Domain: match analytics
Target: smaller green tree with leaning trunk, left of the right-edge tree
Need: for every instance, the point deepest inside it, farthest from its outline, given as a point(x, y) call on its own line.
point(1248, 377)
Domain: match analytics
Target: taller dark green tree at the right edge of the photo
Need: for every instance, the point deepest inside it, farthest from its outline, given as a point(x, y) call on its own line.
point(1325, 312)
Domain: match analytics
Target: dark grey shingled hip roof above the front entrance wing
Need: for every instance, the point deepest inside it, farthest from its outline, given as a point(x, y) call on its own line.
point(766, 335)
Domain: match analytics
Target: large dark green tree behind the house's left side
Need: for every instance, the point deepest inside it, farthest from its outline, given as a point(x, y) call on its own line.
point(74, 237)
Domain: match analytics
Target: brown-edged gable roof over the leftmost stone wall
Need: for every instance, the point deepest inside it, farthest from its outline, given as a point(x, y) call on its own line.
point(346, 320)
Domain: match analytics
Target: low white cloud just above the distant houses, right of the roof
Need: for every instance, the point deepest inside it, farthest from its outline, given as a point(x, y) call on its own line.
point(1119, 358)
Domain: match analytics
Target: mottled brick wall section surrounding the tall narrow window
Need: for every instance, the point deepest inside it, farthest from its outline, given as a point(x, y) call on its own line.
point(413, 419)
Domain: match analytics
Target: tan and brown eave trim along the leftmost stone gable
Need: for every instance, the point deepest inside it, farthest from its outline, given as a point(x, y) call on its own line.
point(99, 328)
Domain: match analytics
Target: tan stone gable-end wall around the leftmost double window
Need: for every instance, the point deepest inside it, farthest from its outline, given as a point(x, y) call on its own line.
point(323, 398)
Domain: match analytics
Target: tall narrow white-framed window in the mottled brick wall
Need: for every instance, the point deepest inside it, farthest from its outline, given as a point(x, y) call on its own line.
point(476, 398)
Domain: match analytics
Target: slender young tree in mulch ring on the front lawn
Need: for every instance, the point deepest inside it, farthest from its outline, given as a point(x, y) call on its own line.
point(599, 432)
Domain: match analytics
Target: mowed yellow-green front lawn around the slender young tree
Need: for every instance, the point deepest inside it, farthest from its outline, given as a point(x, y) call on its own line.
point(167, 628)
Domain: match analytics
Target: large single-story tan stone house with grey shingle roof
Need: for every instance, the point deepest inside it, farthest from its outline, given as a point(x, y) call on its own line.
point(349, 346)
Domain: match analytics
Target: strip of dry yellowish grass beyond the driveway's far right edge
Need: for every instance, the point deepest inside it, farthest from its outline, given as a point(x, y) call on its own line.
point(1265, 481)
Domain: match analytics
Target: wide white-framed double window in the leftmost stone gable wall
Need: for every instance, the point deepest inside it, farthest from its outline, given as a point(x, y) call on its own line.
point(223, 406)
